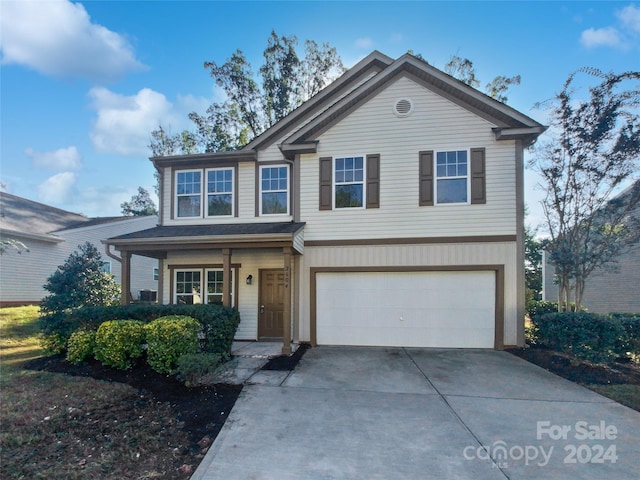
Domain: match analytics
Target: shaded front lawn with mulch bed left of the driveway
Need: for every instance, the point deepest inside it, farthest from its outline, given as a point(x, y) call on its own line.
point(58, 421)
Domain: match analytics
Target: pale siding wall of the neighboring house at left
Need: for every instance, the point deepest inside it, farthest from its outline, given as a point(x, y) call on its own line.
point(22, 276)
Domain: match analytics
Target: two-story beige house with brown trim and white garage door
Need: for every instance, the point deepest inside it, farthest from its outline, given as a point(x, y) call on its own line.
point(386, 210)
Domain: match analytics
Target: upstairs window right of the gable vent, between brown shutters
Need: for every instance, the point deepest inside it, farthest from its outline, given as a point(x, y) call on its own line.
point(452, 177)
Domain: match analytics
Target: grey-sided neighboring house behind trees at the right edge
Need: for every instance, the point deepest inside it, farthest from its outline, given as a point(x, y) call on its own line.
point(606, 290)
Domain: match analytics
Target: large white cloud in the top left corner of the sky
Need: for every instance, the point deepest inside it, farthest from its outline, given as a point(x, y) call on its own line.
point(57, 38)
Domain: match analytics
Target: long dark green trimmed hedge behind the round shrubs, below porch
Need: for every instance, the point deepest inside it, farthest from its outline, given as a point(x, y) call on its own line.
point(218, 323)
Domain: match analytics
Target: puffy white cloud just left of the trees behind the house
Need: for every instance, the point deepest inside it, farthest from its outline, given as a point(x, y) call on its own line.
point(124, 122)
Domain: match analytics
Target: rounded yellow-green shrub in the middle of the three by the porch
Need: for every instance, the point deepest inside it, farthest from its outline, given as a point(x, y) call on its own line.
point(119, 342)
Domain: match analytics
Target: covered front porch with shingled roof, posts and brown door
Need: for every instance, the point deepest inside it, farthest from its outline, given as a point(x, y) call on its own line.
point(221, 262)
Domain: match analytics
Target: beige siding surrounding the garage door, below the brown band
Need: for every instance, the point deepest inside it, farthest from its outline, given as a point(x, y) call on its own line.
point(499, 253)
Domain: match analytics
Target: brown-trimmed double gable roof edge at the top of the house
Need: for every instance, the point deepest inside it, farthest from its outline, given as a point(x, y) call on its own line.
point(375, 72)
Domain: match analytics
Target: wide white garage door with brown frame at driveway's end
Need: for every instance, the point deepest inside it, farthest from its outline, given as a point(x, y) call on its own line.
point(406, 309)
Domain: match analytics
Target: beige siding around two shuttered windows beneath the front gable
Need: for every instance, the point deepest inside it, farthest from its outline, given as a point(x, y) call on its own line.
point(435, 124)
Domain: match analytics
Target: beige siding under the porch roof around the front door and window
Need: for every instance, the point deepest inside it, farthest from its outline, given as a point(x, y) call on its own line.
point(251, 261)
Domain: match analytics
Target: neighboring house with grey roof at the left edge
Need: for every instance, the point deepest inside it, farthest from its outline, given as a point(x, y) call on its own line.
point(51, 235)
